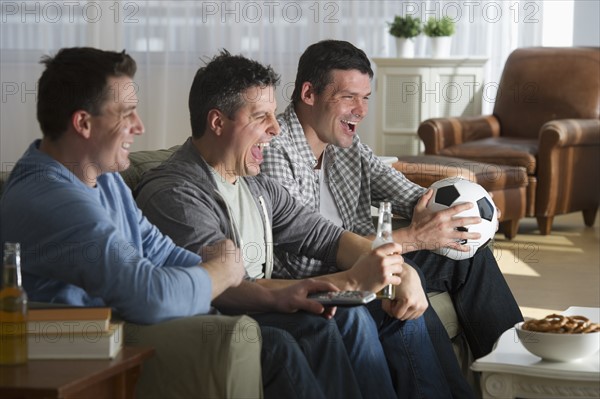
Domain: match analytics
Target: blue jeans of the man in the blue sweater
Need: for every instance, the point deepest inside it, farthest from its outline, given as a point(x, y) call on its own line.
point(316, 364)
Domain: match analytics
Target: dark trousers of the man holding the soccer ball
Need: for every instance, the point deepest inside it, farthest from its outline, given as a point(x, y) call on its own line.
point(484, 304)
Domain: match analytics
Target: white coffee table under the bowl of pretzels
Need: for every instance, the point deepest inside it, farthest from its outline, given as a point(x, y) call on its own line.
point(510, 371)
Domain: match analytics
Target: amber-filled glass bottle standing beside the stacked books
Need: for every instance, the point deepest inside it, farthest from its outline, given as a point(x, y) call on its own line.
point(13, 309)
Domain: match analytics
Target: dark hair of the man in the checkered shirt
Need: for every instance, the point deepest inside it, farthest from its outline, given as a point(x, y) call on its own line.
point(319, 59)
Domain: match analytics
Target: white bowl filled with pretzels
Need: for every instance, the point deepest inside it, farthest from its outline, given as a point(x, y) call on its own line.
point(560, 338)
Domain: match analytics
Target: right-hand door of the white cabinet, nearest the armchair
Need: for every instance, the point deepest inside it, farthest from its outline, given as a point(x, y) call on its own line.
point(454, 92)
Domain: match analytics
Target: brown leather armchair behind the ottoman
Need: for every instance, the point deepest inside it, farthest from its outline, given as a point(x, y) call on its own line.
point(546, 118)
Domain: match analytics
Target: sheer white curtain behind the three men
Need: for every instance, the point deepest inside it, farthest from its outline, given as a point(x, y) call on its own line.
point(171, 39)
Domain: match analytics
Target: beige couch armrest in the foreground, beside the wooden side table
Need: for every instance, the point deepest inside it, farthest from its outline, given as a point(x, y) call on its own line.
point(208, 356)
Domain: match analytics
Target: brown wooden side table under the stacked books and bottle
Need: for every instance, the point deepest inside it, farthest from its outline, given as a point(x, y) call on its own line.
point(114, 378)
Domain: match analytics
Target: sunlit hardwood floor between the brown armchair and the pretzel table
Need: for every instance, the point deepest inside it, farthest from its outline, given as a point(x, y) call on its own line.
point(550, 273)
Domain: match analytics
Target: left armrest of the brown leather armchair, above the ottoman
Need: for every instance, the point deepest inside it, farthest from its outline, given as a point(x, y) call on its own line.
point(439, 133)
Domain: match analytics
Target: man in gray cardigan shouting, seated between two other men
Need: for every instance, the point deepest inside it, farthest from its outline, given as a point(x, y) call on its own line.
point(211, 188)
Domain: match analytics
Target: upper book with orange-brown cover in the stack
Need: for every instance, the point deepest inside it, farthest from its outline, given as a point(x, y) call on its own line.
point(68, 319)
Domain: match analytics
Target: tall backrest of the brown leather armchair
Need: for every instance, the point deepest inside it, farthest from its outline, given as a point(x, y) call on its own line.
point(540, 84)
